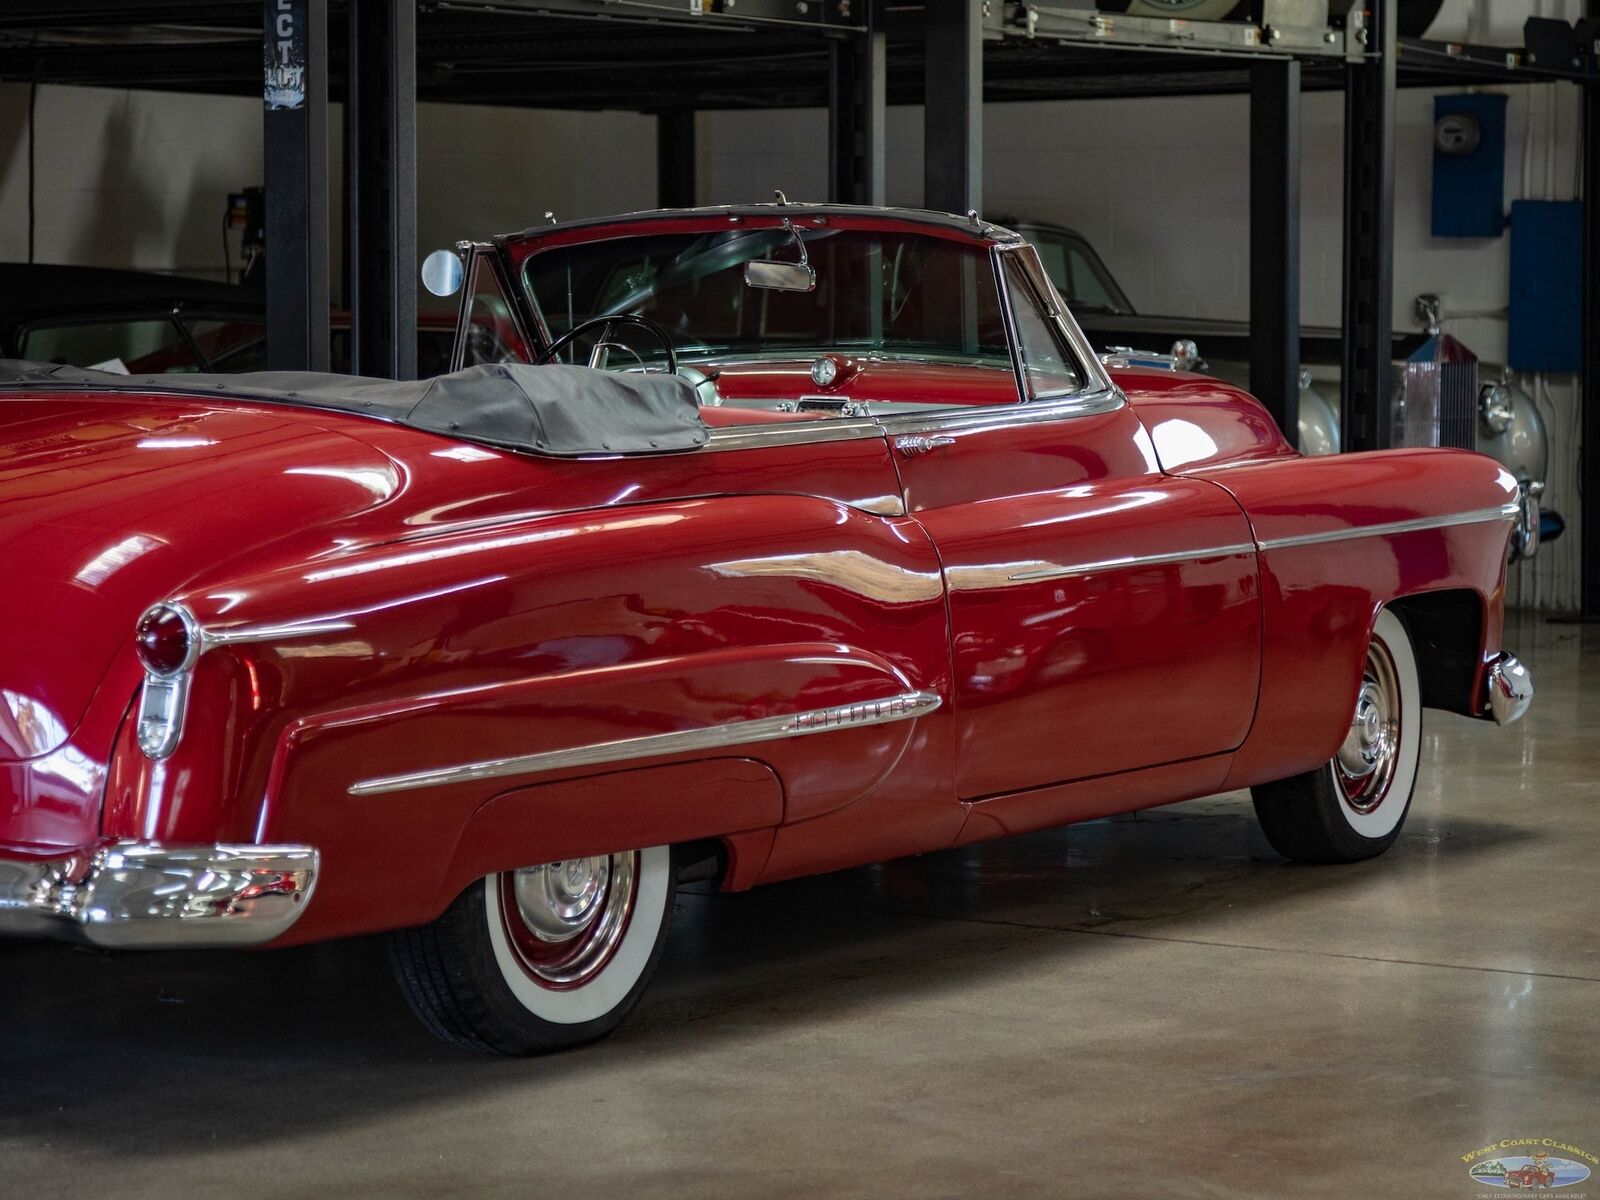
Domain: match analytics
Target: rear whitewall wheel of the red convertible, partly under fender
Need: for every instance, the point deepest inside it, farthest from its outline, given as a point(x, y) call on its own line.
point(540, 959)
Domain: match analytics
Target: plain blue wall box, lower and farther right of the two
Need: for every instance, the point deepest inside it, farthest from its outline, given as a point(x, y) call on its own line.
point(1546, 286)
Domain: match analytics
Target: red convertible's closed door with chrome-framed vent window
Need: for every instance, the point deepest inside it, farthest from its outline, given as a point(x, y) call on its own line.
point(1105, 617)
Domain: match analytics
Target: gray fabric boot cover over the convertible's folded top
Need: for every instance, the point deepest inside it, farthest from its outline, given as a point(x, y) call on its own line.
point(550, 410)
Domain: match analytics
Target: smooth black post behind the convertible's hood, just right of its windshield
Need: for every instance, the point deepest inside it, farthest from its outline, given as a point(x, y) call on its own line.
point(1274, 239)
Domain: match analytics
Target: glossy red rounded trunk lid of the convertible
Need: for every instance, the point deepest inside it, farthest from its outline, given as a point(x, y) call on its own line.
point(111, 503)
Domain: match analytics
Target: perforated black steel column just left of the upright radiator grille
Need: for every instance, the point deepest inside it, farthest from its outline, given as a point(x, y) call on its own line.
point(1369, 236)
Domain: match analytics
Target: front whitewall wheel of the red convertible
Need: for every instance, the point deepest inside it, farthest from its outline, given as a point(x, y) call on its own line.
point(1354, 806)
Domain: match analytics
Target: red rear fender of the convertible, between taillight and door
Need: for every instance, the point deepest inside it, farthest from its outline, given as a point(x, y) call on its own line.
point(586, 633)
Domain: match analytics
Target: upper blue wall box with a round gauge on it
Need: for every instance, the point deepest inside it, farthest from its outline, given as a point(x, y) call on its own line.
point(1470, 166)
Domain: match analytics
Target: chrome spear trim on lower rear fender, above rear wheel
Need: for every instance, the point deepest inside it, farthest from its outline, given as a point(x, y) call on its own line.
point(905, 706)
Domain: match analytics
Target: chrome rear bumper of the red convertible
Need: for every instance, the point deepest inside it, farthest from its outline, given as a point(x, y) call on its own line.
point(138, 895)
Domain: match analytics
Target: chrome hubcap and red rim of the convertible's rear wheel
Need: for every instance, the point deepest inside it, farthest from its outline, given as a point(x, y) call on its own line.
point(567, 919)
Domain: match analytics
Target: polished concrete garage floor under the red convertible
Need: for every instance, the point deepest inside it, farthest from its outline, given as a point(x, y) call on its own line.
point(1137, 1007)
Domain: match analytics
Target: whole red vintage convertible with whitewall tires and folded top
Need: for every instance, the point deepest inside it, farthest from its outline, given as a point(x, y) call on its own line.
point(806, 537)
